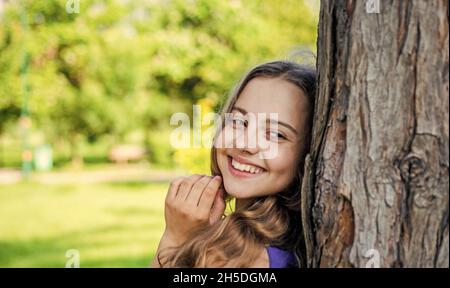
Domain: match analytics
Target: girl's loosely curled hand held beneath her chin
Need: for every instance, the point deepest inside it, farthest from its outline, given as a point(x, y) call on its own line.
point(191, 203)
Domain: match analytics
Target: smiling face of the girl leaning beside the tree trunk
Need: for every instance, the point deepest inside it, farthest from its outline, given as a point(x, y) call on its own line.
point(246, 171)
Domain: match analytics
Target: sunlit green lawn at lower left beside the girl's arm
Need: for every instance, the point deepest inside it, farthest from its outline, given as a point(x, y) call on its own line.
point(111, 225)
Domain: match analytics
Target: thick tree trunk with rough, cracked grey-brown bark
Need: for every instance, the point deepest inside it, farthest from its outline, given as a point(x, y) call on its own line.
point(377, 176)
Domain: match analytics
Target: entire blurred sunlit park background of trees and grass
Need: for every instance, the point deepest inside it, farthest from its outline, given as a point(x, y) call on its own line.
point(85, 104)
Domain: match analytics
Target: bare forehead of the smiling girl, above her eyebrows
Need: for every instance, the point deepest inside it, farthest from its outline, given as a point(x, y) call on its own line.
point(275, 95)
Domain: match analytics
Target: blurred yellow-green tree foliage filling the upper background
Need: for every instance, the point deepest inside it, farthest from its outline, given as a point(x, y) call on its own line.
point(121, 66)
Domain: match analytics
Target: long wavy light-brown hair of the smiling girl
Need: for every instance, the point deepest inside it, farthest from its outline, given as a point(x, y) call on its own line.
point(275, 220)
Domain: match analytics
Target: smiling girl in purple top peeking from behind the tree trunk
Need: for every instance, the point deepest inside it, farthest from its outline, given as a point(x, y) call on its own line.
point(264, 230)
